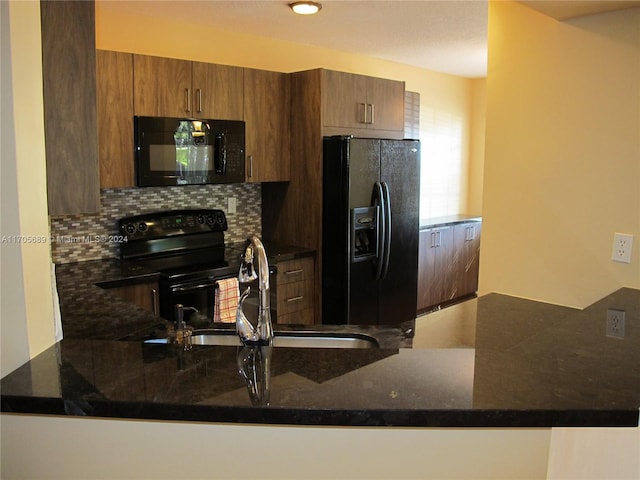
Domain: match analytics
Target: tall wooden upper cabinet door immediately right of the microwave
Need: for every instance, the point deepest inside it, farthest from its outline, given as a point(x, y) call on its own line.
point(266, 114)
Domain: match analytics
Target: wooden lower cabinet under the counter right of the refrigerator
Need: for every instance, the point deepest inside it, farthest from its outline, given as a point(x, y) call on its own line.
point(448, 264)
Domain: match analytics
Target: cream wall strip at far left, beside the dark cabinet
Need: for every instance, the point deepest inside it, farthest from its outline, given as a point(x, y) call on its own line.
point(27, 303)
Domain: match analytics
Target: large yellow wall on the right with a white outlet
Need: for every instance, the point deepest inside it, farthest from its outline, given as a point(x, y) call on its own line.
point(562, 168)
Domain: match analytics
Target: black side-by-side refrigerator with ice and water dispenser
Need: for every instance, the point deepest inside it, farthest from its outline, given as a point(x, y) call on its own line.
point(370, 230)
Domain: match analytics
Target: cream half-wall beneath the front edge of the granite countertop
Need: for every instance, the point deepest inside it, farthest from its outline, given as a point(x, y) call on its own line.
point(118, 449)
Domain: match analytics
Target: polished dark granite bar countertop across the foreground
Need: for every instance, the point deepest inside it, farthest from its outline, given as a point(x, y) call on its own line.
point(533, 365)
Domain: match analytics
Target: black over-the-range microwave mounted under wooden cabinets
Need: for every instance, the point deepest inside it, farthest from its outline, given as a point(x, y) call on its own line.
point(187, 151)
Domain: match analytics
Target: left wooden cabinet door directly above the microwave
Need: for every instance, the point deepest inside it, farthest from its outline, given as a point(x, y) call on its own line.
point(162, 87)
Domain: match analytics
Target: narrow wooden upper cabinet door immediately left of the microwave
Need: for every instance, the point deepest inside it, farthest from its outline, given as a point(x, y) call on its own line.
point(114, 79)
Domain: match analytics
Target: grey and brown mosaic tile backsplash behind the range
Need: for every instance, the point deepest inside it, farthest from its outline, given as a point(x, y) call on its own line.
point(86, 237)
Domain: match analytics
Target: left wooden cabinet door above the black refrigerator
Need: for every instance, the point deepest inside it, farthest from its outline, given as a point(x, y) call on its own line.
point(344, 99)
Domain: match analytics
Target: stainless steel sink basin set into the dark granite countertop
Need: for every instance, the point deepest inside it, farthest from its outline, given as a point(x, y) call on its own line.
point(291, 339)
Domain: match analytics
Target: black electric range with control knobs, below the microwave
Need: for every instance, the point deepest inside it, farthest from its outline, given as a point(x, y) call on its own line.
point(187, 248)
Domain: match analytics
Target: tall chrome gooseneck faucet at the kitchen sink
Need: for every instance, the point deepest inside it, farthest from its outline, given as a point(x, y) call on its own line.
point(262, 333)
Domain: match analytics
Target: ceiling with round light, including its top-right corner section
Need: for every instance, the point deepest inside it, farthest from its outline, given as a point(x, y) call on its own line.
point(448, 36)
